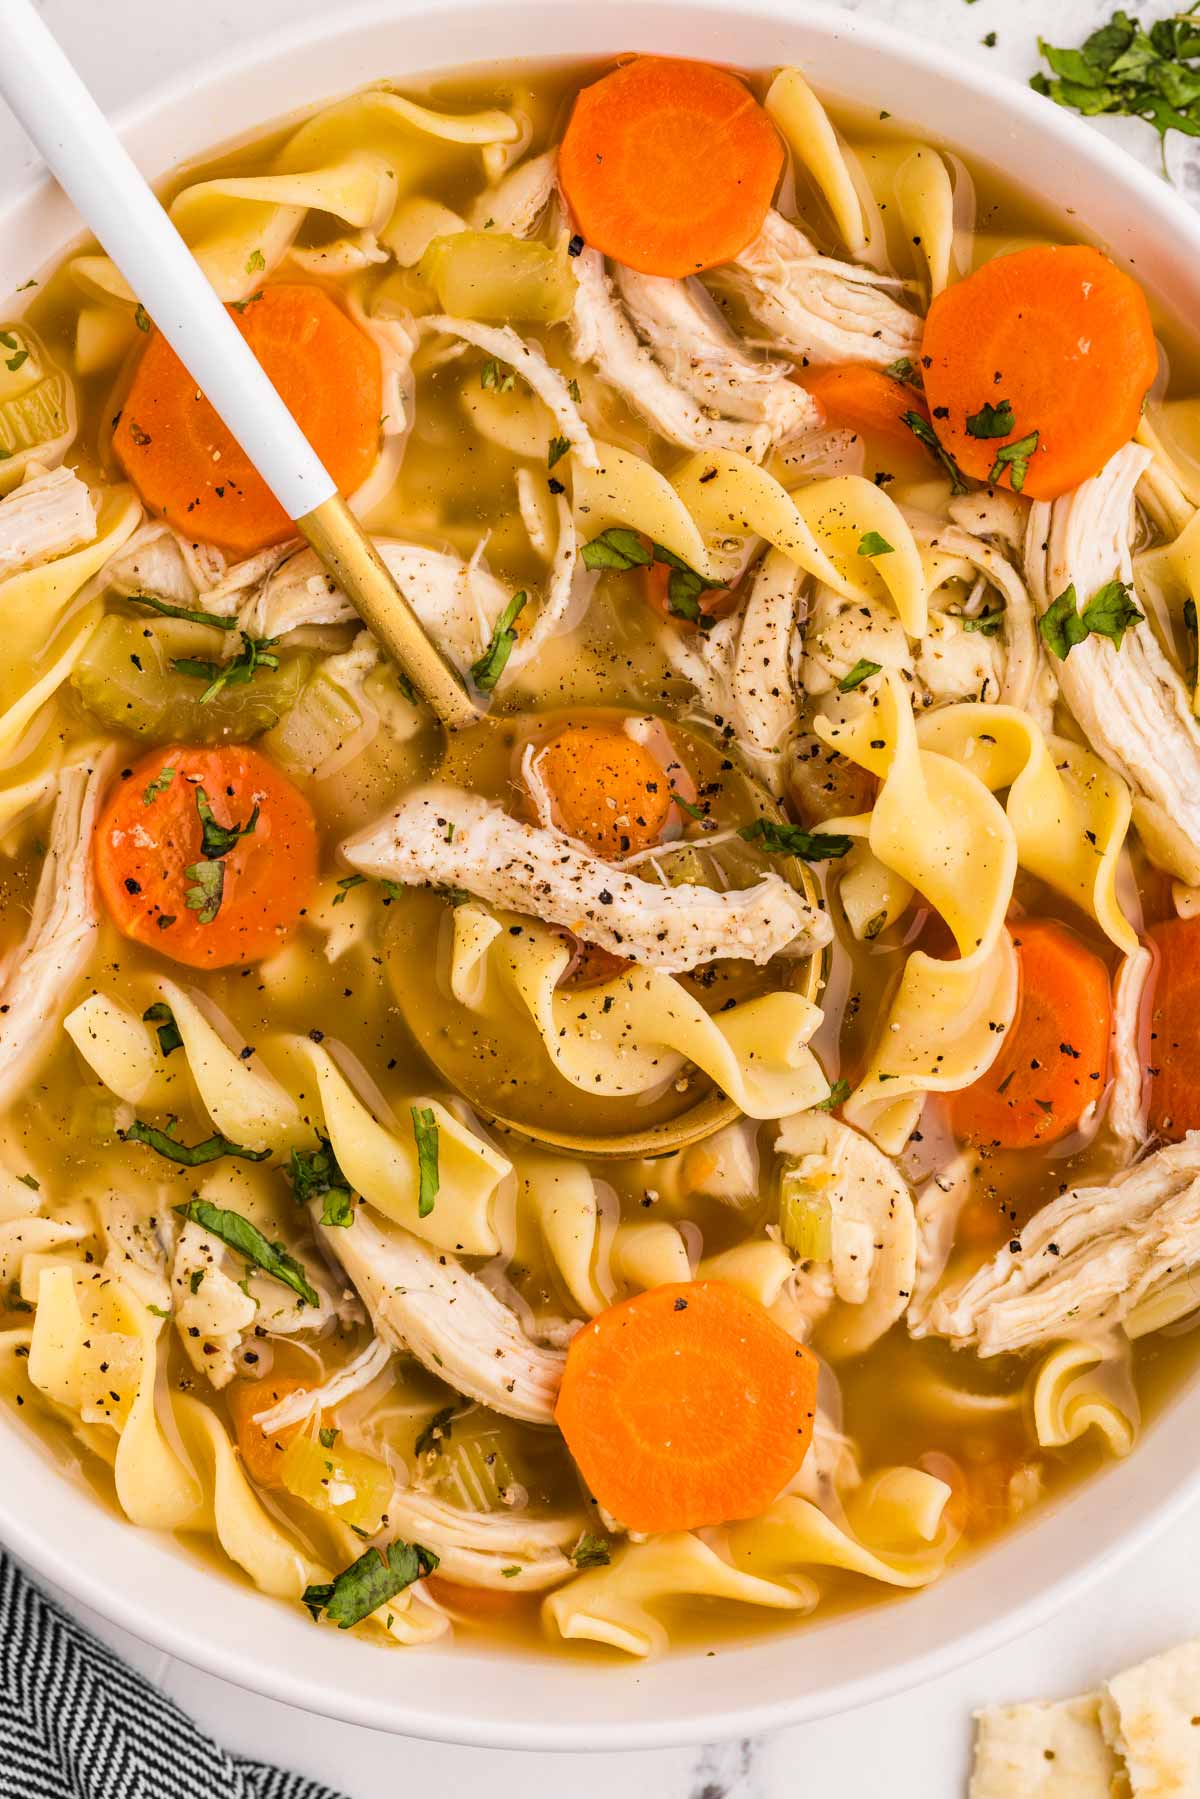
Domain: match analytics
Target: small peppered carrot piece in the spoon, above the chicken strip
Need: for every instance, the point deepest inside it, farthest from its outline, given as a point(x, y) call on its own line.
point(607, 789)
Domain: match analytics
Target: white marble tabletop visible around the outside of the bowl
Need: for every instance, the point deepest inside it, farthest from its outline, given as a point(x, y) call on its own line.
point(913, 1748)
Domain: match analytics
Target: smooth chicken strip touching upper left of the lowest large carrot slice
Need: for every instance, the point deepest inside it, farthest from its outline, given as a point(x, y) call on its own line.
point(427, 1305)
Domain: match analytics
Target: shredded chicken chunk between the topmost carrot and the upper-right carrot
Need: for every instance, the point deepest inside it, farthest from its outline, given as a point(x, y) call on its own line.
point(814, 309)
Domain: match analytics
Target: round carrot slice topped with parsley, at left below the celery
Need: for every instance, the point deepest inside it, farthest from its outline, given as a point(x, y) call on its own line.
point(172, 891)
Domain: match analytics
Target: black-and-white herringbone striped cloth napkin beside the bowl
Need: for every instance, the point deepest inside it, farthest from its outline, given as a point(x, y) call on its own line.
point(78, 1724)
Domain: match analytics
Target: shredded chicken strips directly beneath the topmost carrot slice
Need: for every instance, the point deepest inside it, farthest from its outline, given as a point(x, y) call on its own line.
point(661, 379)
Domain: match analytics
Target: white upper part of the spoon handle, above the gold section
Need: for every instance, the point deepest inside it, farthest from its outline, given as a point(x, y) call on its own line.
point(94, 168)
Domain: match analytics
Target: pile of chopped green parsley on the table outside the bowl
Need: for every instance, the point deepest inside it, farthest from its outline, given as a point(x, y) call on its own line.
point(1124, 69)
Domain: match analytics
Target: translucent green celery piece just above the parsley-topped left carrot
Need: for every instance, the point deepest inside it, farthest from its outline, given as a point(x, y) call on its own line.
point(125, 679)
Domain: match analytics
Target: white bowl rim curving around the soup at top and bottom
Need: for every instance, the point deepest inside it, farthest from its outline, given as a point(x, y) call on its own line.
point(580, 1710)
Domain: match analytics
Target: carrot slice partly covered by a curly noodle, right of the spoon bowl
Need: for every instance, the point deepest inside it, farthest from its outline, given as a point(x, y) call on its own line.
point(1055, 1059)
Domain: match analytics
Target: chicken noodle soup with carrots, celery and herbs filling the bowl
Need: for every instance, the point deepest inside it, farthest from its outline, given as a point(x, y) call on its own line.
point(823, 544)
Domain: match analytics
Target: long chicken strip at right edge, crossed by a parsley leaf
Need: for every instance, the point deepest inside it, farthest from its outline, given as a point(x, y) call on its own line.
point(1131, 703)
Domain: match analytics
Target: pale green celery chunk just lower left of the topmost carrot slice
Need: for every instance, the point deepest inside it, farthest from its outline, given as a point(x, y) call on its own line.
point(490, 276)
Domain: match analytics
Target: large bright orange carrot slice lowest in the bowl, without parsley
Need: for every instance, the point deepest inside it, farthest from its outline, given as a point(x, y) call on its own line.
point(686, 1406)
